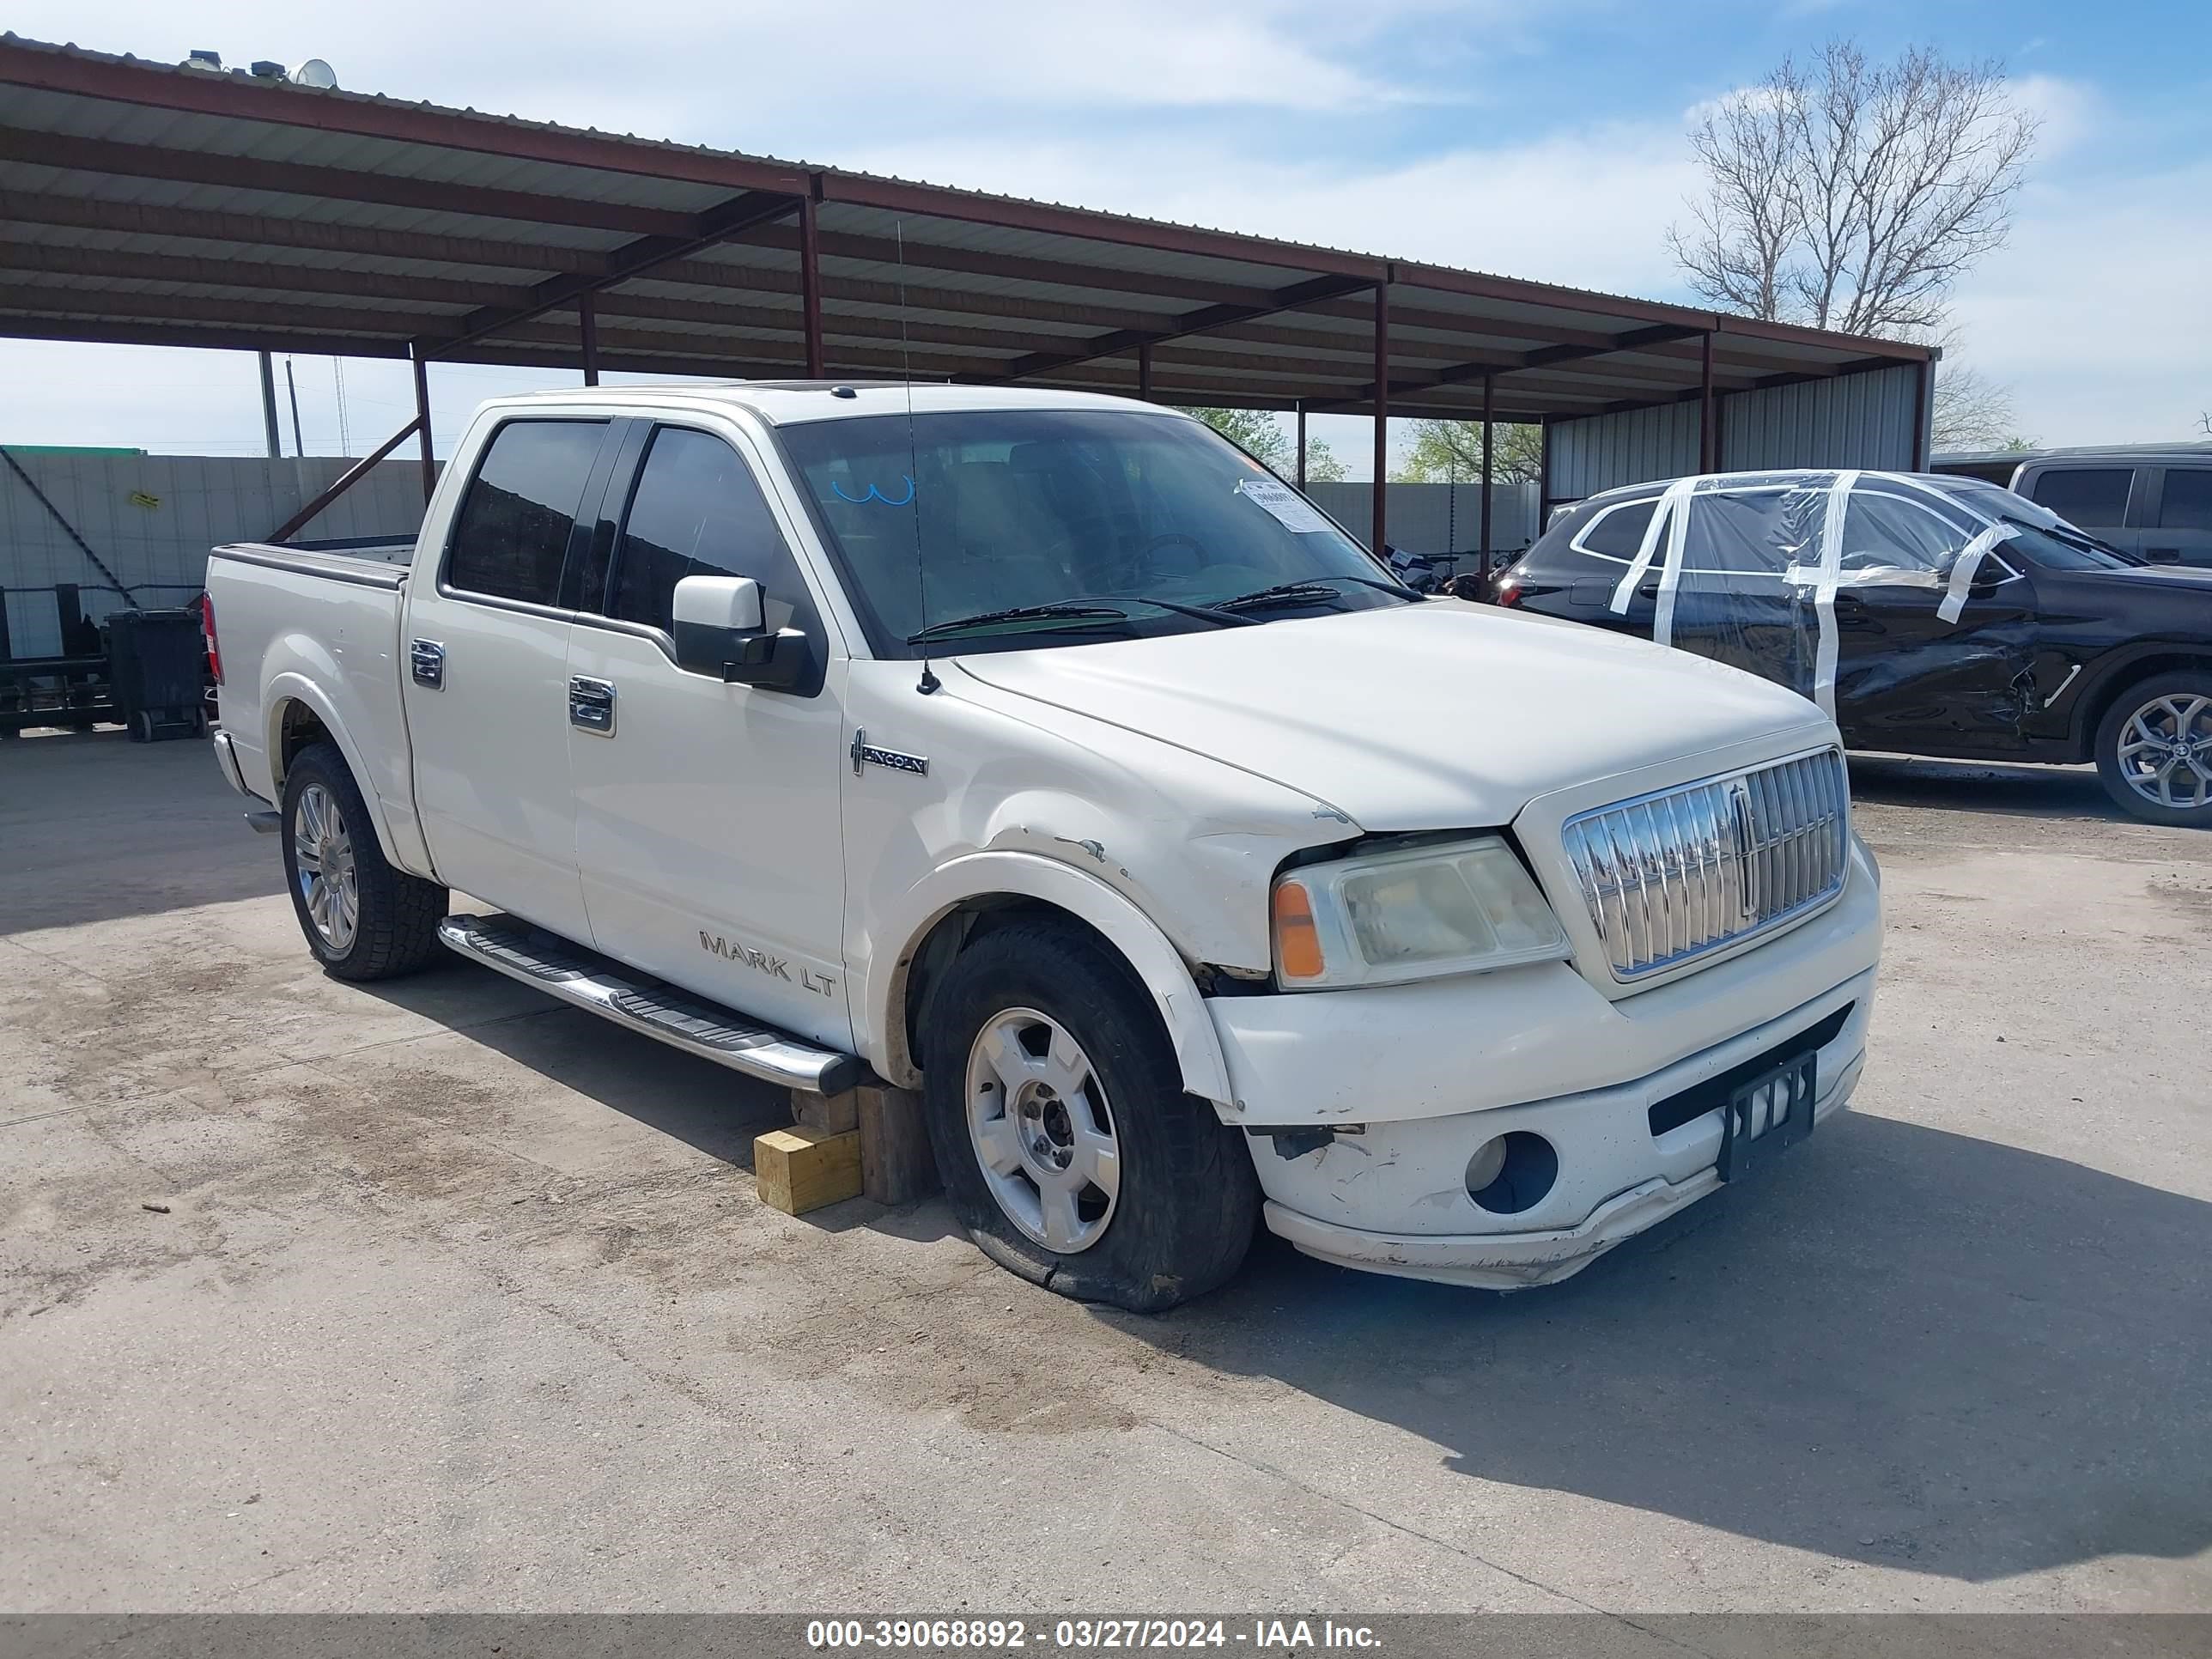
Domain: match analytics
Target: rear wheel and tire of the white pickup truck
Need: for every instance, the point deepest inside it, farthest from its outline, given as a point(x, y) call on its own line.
point(362, 917)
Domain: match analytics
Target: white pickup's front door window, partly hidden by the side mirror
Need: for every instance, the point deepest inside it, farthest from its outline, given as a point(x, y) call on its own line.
point(700, 512)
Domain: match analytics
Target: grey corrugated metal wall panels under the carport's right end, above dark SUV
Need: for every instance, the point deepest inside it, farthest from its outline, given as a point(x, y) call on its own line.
point(1868, 419)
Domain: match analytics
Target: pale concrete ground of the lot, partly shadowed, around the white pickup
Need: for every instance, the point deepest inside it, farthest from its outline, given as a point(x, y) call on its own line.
point(457, 1300)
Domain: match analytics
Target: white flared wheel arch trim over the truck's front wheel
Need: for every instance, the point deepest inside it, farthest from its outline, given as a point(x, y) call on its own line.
point(970, 895)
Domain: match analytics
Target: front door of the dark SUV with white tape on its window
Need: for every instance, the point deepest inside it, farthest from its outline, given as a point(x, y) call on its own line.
point(1910, 676)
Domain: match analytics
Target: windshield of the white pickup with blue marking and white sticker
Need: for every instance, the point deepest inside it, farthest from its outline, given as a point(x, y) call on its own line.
point(1100, 517)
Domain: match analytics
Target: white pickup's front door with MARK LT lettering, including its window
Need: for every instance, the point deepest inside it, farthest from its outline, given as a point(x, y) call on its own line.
point(707, 815)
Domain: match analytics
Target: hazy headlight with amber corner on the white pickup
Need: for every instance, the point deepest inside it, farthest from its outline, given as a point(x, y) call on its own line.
point(1412, 915)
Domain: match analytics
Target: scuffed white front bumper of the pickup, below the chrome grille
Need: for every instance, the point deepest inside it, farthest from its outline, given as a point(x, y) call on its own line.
point(1415, 1081)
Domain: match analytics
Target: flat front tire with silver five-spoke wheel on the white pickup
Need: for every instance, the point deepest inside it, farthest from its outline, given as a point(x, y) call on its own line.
point(1058, 1116)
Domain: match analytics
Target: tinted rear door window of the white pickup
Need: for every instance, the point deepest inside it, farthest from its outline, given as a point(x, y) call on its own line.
point(512, 532)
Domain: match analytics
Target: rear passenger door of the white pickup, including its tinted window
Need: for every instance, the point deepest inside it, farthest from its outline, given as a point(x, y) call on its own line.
point(488, 674)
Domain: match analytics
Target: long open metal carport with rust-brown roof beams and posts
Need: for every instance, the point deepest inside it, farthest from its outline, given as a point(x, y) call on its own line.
point(185, 207)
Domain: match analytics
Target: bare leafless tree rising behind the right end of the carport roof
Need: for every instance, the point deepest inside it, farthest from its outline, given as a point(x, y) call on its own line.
point(1853, 196)
